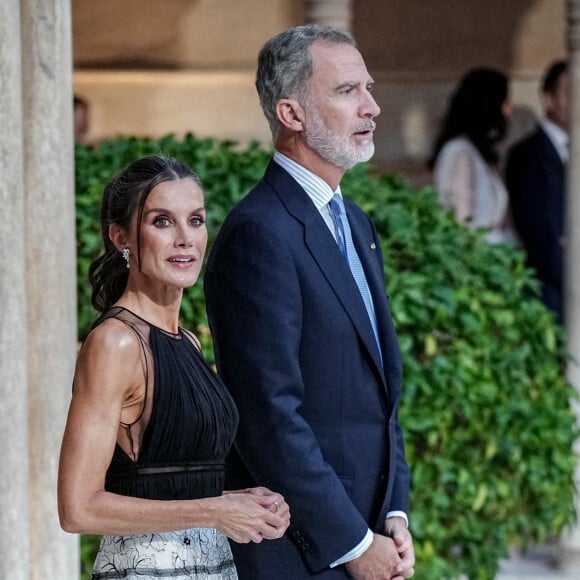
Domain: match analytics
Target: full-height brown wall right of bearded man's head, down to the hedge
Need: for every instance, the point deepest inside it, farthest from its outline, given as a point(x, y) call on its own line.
point(417, 51)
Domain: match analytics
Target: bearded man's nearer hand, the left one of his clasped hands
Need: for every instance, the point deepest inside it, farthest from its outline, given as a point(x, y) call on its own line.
point(379, 562)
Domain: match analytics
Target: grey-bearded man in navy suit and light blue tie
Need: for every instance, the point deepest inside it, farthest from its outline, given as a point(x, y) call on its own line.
point(294, 342)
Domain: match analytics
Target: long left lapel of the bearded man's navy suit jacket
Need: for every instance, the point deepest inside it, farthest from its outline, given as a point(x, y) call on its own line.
point(326, 253)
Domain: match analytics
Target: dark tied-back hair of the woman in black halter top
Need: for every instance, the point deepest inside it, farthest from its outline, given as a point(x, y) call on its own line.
point(124, 197)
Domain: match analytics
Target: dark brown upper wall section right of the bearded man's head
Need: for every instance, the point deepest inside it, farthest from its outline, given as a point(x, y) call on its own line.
point(438, 39)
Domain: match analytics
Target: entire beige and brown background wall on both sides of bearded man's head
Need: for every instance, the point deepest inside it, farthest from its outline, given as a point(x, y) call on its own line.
point(152, 68)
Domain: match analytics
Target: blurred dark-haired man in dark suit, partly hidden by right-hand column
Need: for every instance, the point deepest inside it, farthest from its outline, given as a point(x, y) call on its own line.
point(535, 177)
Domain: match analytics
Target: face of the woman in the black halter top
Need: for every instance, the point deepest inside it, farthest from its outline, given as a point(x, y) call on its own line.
point(173, 236)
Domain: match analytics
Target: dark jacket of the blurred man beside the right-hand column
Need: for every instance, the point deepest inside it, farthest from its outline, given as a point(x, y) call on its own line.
point(535, 177)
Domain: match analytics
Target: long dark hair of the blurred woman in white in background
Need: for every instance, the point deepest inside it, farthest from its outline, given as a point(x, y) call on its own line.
point(475, 112)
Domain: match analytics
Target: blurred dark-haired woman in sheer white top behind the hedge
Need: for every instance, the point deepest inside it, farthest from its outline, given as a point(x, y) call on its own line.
point(465, 156)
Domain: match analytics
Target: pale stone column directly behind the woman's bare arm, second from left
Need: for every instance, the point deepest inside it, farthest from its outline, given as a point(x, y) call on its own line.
point(50, 270)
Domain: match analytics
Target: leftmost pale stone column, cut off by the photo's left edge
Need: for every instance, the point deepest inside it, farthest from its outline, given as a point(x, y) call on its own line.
point(13, 379)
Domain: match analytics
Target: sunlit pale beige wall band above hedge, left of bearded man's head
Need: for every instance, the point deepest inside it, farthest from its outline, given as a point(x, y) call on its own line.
point(209, 104)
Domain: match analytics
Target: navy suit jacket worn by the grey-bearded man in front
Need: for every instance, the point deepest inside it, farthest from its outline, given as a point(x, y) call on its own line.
point(294, 345)
